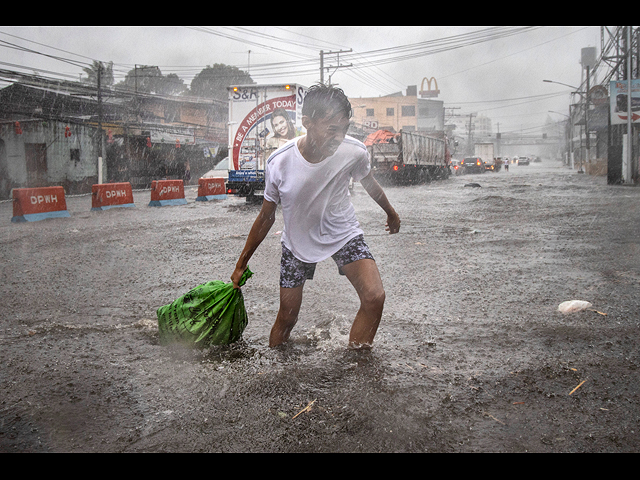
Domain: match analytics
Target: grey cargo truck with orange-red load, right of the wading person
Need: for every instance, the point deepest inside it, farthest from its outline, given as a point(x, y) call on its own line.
point(408, 157)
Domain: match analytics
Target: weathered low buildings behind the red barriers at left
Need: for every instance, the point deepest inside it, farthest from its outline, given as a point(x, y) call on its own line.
point(55, 134)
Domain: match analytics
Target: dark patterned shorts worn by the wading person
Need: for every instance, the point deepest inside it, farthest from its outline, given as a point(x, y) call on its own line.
point(294, 272)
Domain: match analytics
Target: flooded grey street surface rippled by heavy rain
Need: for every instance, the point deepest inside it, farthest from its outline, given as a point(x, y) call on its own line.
point(472, 354)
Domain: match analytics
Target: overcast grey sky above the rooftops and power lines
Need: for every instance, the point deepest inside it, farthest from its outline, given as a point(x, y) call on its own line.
point(498, 73)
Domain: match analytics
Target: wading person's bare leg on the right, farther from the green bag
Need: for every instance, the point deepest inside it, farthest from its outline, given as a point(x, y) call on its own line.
point(365, 277)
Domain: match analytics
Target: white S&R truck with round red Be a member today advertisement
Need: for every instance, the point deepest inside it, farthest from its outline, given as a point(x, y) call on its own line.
point(261, 119)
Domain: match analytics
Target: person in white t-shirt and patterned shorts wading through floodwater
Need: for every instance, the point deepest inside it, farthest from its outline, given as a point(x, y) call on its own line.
point(309, 176)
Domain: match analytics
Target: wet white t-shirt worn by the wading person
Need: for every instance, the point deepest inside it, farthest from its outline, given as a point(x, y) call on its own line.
point(319, 218)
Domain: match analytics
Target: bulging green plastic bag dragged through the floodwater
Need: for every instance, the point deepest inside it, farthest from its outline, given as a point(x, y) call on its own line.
point(210, 314)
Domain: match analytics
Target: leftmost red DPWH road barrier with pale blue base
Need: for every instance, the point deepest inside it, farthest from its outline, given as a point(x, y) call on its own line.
point(32, 204)
